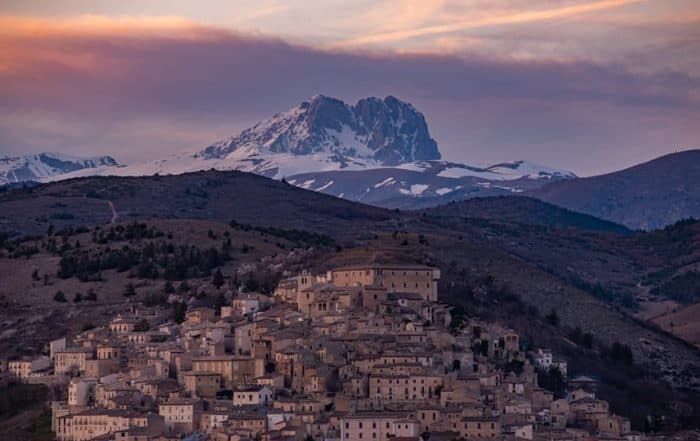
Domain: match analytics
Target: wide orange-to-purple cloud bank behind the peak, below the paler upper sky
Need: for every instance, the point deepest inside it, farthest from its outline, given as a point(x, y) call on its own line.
point(132, 89)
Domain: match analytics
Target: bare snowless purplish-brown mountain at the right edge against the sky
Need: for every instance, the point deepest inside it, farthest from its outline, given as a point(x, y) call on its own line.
point(647, 196)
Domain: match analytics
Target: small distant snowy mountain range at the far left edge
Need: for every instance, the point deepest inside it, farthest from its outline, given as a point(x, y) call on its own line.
point(17, 169)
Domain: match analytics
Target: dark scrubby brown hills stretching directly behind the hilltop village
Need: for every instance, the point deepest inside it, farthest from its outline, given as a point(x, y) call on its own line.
point(512, 265)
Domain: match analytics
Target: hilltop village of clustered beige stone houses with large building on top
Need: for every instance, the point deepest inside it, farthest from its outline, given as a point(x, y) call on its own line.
point(363, 353)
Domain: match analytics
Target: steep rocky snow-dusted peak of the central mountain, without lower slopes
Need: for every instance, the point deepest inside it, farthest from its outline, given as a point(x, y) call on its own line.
point(385, 132)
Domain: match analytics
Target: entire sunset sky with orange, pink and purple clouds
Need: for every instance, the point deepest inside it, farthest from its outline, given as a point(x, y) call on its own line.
point(590, 86)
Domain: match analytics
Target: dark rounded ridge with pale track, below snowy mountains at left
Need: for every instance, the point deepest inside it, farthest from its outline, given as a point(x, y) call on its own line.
point(217, 196)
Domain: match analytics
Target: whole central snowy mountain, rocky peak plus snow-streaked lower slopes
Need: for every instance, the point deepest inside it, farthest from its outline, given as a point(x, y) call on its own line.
point(378, 151)
